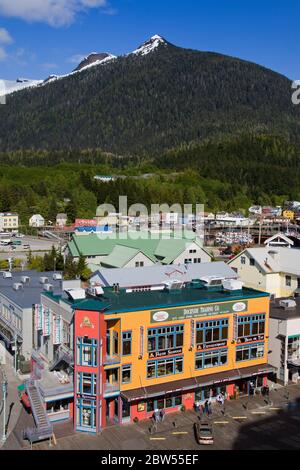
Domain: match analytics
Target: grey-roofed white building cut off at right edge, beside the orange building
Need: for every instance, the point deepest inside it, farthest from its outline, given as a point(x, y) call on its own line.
point(284, 343)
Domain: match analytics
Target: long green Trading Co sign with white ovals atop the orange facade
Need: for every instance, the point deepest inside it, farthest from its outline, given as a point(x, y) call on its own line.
point(198, 311)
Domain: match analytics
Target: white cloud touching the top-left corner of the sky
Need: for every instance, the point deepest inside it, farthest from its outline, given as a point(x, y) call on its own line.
point(56, 13)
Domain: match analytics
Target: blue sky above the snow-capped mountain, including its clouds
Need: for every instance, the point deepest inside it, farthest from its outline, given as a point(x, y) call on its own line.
point(39, 37)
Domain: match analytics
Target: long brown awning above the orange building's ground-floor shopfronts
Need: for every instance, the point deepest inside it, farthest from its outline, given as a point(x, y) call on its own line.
point(180, 386)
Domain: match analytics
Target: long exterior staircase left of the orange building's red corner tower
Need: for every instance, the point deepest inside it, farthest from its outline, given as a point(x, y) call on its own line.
point(43, 428)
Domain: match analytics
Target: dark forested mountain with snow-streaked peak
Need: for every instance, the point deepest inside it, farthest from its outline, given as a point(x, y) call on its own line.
point(158, 97)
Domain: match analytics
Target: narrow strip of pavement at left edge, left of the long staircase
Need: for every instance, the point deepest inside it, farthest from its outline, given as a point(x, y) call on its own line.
point(13, 405)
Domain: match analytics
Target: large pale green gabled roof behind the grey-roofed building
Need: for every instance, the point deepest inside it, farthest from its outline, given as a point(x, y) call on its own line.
point(165, 250)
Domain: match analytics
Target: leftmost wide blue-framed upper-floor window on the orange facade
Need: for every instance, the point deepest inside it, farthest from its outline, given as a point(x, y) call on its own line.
point(160, 339)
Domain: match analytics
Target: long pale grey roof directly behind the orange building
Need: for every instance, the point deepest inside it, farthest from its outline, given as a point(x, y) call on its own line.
point(155, 277)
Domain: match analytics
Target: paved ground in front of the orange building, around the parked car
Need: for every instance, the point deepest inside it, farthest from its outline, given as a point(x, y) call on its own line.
point(248, 424)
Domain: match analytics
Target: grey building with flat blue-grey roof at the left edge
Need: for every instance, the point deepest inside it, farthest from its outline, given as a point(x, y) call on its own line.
point(20, 294)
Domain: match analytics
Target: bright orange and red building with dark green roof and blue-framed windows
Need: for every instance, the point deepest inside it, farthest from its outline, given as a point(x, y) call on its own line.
point(137, 352)
